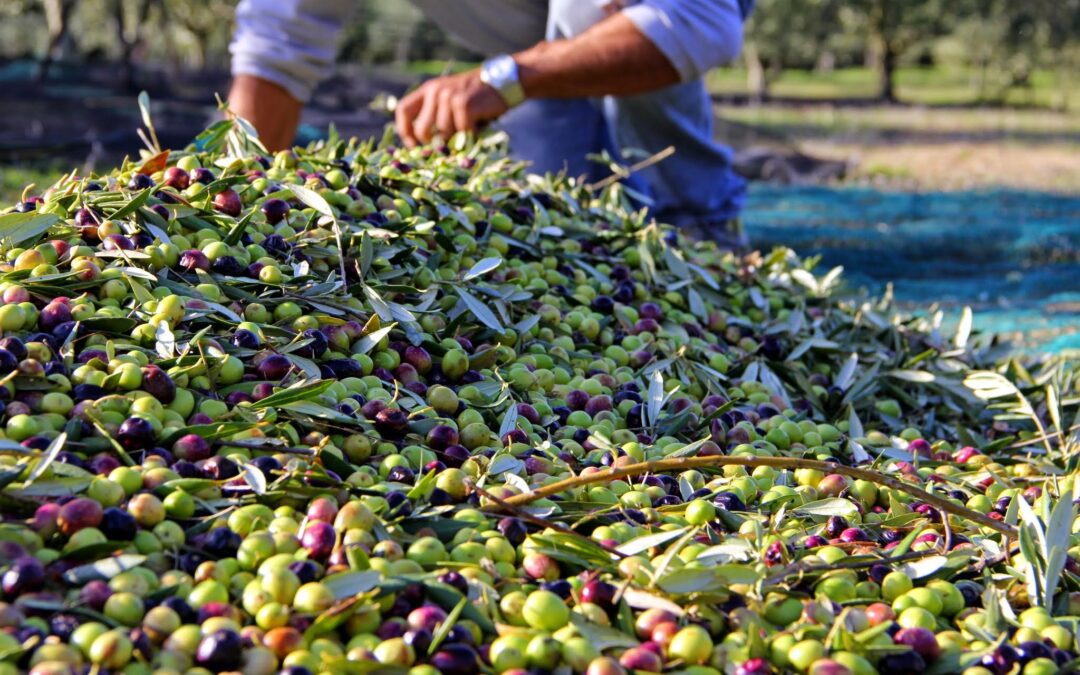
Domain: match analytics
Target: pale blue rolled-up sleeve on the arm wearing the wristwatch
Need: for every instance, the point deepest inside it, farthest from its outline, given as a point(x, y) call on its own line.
point(694, 35)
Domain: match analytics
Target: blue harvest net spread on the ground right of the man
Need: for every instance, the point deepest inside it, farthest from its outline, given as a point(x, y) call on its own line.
point(1014, 256)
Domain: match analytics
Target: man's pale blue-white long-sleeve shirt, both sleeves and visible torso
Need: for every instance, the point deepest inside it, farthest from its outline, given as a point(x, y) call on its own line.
point(294, 43)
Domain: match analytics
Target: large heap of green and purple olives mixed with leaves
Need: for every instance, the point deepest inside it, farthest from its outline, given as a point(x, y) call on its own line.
point(356, 409)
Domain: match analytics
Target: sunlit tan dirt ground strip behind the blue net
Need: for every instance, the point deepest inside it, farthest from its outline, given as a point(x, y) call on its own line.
point(922, 148)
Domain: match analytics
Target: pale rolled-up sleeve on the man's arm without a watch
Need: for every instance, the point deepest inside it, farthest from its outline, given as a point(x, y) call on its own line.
point(290, 43)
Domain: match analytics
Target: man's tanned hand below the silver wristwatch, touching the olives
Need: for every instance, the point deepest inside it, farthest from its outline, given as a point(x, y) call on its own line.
point(448, 105)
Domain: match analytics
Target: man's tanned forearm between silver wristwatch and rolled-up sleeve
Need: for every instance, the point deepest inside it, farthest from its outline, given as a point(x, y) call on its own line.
point(612, 59)
